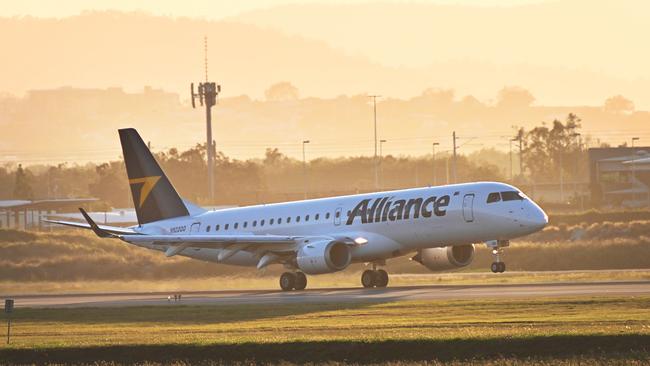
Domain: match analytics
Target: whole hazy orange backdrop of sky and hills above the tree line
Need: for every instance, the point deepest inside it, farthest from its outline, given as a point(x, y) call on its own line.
point(568, 54)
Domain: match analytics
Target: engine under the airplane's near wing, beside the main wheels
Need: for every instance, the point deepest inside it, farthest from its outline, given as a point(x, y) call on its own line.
point(323, 257)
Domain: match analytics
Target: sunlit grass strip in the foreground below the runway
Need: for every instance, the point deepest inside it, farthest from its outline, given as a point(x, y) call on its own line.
point(544, 330)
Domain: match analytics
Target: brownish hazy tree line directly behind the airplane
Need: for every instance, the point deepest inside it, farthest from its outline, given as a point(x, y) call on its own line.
point(548, 152)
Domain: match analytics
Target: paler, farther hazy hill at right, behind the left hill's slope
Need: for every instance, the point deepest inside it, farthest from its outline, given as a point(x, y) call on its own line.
point(567, 52)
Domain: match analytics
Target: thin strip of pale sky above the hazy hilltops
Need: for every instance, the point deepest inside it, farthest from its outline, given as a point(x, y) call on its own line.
point(194, 8)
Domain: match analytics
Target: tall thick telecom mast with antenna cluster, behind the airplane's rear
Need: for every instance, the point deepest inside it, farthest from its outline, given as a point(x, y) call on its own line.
point(207, 96)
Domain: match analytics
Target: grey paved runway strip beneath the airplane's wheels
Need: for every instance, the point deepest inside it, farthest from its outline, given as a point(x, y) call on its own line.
point(342, 295)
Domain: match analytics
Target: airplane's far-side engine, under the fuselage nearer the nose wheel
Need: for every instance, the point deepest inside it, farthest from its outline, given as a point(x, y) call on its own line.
point(440, 259)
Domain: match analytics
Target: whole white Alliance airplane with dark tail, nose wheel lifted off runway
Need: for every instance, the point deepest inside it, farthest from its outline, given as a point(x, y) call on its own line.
point(439, 224)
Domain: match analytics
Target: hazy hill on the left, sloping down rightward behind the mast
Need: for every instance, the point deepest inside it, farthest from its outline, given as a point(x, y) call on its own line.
point(103, 49)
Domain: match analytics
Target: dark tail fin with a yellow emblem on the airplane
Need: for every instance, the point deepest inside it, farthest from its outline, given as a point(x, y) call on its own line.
point(154, 196)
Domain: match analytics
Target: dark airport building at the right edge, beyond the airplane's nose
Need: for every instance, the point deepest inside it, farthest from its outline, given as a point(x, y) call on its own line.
point(620, 177)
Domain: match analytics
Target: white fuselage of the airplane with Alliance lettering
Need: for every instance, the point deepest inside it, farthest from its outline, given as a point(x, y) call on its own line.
point(394, 223)
